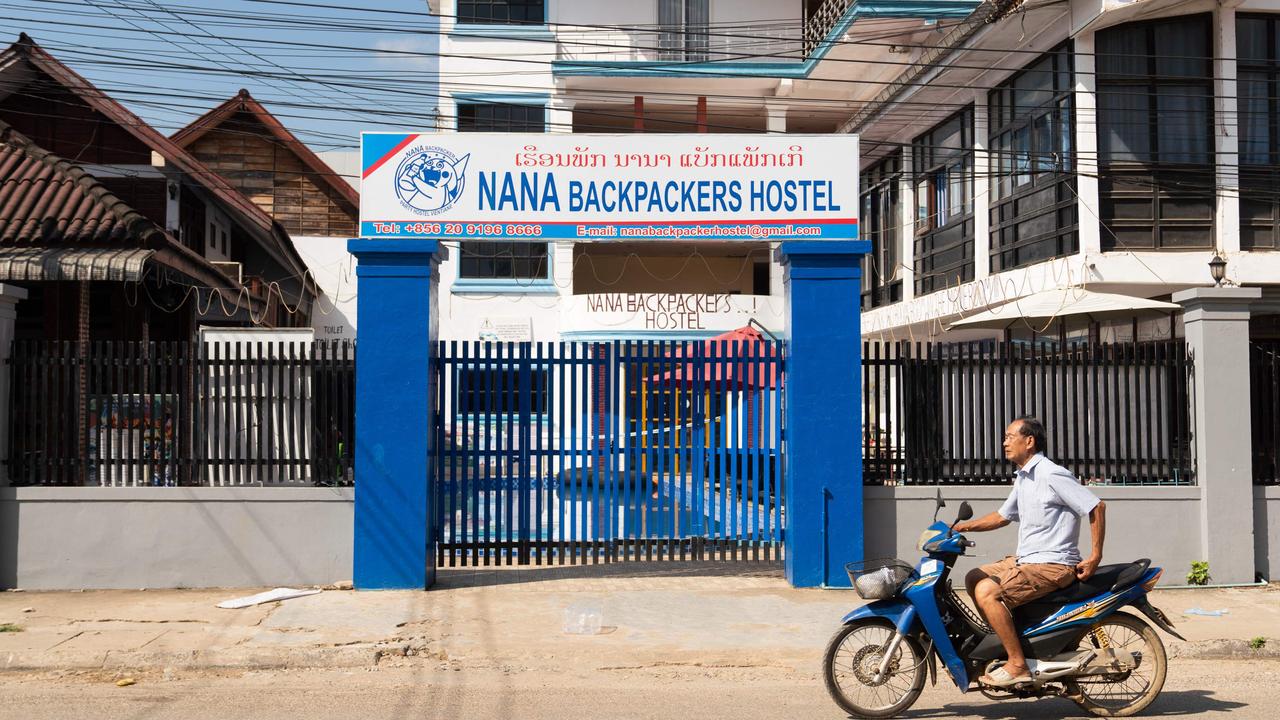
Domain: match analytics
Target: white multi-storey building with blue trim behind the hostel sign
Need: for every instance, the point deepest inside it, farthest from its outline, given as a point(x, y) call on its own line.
point(1007, 148)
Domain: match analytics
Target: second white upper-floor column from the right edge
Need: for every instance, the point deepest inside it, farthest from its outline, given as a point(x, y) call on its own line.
point(1087, 147)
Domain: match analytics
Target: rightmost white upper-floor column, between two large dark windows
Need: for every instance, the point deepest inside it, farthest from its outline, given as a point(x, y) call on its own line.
point(1227, 136)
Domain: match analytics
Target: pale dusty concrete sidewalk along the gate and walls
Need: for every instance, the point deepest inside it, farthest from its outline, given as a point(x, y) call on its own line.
point(514, 621)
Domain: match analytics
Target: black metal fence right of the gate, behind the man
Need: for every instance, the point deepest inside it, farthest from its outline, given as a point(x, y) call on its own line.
point(1117, 414)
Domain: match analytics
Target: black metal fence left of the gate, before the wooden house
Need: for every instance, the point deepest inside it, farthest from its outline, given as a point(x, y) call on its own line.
point(182, 413)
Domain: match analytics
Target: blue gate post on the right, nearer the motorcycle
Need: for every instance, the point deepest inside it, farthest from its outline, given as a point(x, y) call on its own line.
point(824, 411)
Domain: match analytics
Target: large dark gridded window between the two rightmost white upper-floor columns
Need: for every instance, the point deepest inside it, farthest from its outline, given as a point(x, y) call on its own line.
point(1156, 134)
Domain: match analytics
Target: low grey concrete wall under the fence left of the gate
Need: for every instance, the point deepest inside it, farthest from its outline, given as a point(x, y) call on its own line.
point(130, 539)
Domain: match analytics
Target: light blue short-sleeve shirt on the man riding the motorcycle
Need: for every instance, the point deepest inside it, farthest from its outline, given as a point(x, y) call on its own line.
point(1048, 504)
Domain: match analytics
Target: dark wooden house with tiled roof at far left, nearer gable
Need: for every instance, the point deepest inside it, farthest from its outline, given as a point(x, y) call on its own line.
point(116, 231)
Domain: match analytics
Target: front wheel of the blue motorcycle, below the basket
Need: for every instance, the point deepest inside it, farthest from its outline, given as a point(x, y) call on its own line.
point(853, 660)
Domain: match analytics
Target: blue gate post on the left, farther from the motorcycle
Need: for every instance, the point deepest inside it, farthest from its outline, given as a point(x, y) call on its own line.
point(396, 329)
